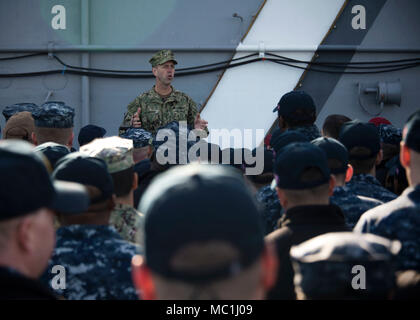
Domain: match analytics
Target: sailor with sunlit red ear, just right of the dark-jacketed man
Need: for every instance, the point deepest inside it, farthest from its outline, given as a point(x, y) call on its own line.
point(352, 205)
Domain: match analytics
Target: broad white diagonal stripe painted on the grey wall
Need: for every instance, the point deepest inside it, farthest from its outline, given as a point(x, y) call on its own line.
point(246, 95)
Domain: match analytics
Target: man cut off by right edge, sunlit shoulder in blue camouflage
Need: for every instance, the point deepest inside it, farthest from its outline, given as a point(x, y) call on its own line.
point(400, 219)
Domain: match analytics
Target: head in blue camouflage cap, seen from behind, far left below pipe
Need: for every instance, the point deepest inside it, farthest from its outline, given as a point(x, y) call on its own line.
point(54, 123)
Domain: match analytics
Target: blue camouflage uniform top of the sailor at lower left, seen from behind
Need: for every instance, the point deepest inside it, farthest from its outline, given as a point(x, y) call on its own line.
point(97, 262)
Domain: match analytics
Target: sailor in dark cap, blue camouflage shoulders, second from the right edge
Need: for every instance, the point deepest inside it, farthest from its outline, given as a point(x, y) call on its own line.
point(363, 144)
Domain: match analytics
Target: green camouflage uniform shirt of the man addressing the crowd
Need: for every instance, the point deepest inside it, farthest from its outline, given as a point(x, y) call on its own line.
point(157, 111)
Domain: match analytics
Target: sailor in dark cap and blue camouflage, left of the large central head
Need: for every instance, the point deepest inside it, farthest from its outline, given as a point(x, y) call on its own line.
point(96, 259)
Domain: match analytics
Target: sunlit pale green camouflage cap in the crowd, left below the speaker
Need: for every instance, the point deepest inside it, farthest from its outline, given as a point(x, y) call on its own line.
point(115, 151)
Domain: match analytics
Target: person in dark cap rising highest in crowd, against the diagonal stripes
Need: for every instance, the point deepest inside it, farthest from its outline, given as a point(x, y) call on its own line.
point(296, 111)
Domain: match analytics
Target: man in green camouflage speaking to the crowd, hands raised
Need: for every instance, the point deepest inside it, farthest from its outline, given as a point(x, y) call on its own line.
point(162, 104)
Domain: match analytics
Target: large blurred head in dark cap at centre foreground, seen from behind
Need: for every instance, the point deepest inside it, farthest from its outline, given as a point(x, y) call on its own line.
point(216, 252)
